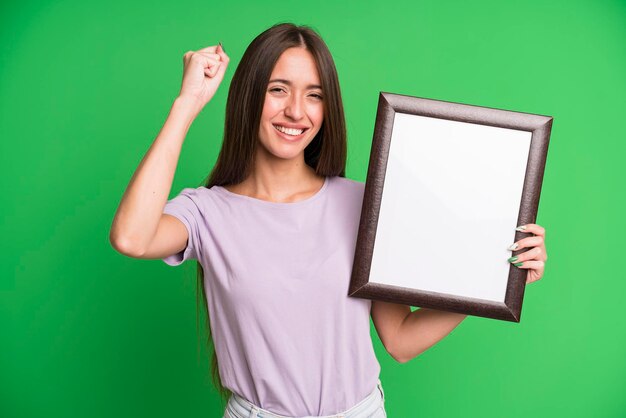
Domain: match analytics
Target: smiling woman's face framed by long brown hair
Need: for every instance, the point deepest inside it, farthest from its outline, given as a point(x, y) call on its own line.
point(294, 109)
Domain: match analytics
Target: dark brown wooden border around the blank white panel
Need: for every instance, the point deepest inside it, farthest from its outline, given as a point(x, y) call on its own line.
point(388, 105)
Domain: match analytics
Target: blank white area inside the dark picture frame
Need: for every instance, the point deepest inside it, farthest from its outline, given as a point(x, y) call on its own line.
point(449, 206)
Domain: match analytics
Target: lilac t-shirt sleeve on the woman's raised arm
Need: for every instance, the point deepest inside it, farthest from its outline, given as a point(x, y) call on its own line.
point(185, 207)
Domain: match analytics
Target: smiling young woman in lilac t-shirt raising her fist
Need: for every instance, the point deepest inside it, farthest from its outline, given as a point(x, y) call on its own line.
point(274, 231)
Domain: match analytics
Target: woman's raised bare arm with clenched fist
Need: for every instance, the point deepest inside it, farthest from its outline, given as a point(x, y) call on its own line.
point(140, 228)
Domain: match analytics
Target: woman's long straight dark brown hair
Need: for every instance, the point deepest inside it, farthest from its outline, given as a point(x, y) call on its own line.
point(326, 153)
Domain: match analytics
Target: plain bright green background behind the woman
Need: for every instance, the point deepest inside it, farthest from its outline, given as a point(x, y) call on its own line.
point(85, 88)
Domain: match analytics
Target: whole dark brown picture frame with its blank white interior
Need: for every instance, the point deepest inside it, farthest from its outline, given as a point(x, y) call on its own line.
point(447, 185)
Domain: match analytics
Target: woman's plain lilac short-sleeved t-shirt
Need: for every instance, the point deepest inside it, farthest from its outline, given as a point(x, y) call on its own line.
point(288, 338)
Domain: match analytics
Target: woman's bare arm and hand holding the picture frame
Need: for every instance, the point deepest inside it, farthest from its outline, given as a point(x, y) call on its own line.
point(407, 334)
